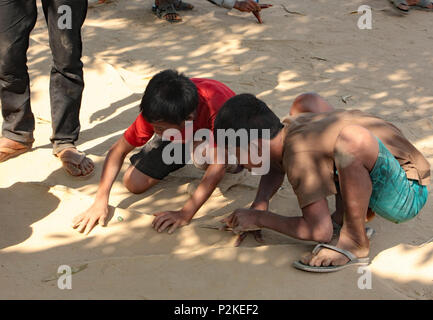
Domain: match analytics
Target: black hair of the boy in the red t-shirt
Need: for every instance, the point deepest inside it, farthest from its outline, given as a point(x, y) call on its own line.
point(169, 97)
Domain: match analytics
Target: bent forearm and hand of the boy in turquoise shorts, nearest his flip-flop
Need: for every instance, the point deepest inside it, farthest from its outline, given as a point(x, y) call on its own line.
point(315, 223)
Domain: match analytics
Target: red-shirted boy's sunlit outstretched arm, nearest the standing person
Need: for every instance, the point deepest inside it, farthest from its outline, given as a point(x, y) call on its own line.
point(98, 212)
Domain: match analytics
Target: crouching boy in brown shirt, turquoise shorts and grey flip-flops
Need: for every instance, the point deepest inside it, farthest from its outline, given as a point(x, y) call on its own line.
point(365, 161)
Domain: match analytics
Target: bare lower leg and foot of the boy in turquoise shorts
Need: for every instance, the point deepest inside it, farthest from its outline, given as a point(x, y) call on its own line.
point(356, 151)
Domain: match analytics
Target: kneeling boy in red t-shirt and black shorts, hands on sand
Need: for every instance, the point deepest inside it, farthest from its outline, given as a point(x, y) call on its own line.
point(169, 101)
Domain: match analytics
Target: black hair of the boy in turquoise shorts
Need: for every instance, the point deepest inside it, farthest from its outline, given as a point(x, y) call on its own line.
point(245, 111)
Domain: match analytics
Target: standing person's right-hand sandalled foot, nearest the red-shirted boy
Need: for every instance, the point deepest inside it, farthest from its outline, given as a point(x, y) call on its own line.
point(76, 163)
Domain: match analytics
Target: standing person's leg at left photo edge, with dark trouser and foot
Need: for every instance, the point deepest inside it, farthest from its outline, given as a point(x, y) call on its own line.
point(17, 19)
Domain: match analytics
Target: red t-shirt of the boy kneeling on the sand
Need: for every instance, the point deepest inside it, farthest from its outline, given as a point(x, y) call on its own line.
point(212, 95)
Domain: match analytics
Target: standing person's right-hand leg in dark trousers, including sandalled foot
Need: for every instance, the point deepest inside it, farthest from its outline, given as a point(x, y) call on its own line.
point(66, 81)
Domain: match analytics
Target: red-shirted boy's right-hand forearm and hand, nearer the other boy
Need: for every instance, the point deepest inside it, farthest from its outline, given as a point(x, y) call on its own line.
point(174, 219)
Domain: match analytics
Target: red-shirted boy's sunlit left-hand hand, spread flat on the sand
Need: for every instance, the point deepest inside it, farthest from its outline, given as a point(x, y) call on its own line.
point(86, 221)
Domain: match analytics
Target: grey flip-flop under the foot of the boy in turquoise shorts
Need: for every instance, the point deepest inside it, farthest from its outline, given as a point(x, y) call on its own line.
point(353, 260)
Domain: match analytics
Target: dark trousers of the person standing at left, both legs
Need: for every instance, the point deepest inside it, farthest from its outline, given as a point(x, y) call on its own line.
point(17, 19)
